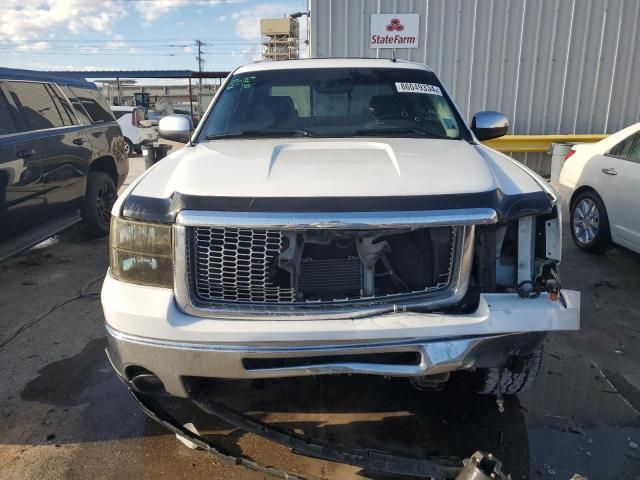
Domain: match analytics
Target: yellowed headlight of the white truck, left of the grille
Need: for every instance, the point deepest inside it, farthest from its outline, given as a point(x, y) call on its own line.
point(140, 252)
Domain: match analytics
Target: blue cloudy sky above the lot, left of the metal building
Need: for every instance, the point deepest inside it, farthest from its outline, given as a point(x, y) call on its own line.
point(135, 34)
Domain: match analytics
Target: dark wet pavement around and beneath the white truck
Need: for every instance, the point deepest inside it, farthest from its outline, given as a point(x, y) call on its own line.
point(64, 414)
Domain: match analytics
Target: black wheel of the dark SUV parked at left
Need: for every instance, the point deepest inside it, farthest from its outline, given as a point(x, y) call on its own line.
point(98, 201)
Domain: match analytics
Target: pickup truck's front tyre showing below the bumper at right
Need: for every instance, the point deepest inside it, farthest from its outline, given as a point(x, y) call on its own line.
point(517, 376)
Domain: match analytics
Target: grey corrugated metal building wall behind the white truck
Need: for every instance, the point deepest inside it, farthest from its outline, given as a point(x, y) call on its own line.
point(551, 66)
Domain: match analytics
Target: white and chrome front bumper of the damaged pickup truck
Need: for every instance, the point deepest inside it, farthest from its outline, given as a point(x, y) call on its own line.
point(147, 330)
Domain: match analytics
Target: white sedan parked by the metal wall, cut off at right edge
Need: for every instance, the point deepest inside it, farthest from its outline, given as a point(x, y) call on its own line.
point(600, 185)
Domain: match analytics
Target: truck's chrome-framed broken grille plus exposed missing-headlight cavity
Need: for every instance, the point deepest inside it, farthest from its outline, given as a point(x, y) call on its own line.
point(296, 267)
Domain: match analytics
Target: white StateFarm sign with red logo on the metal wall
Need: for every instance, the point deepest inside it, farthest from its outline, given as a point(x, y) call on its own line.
point(395, 31)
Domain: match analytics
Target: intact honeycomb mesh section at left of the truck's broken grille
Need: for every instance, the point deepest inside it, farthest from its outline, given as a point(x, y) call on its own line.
point(233, 264)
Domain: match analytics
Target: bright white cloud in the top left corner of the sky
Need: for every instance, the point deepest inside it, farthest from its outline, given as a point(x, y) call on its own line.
point(24, 20)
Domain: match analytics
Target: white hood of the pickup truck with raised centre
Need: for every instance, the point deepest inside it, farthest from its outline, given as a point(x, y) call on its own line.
point(334, 168)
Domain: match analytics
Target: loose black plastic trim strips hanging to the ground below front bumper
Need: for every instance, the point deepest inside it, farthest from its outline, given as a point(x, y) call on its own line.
point(383, 462)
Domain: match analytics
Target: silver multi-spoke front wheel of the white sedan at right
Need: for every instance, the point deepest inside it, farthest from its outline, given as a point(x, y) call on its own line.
point(589, 222)
